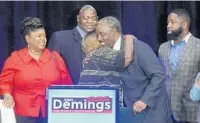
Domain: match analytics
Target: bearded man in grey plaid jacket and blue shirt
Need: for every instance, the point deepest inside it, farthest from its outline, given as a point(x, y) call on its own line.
point(181, 59)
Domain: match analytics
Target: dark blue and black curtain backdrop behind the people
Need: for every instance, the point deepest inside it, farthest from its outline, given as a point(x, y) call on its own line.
point(145, 19)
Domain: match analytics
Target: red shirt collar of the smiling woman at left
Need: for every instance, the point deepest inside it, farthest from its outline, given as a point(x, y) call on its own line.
point(26, 58)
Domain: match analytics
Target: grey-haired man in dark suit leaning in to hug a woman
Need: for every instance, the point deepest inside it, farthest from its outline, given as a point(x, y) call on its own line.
point(143, 80)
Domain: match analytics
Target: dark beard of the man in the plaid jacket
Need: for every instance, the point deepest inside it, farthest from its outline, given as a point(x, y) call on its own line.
point(174, 35)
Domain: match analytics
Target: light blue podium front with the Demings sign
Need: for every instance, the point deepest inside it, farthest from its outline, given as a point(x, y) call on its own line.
point(82, 104)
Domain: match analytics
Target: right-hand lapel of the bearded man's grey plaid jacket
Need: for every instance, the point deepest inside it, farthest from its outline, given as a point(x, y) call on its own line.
point(189, 45)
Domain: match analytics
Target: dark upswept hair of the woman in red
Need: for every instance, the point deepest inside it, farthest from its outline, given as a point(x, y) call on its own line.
point(30, 24)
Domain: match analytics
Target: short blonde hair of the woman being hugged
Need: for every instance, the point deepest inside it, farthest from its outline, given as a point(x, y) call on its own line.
point(90, 42)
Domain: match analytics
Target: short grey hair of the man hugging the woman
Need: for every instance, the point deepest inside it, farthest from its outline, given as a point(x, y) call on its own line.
point(112, 22)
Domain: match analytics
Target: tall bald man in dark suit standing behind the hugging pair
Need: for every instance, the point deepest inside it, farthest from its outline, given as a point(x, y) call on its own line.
point(68, 42)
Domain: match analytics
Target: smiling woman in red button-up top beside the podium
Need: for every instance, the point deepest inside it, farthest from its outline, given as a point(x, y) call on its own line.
point(29, 71)
